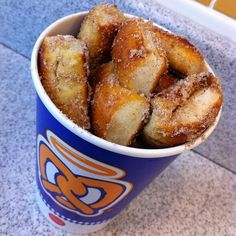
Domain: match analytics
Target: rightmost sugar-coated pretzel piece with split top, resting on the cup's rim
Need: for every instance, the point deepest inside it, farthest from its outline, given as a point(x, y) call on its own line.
point(184, 110)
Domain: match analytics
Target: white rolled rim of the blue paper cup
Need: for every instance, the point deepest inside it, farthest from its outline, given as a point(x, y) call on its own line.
point(86, 135)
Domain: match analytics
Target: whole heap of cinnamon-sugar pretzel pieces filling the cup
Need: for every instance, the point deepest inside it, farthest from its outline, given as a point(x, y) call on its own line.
point(142, 56)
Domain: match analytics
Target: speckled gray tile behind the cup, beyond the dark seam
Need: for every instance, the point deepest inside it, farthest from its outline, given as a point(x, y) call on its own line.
point(24, 20)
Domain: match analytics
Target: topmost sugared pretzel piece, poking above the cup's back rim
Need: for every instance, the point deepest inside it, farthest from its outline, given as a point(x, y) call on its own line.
point(98, 31)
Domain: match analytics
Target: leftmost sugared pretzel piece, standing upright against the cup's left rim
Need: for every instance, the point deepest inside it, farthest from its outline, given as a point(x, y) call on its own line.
point(63, 70)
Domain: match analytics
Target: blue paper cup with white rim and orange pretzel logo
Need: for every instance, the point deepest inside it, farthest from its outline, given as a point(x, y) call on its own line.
point(84, 181)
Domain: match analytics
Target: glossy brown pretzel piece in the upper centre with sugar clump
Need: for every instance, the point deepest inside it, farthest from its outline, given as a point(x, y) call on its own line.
point(138, 59)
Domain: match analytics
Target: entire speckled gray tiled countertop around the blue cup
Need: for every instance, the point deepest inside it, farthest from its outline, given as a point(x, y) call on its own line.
point(195, 195)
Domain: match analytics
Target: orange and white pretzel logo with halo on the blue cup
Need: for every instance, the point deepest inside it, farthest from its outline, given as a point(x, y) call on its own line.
point(77, 182)
